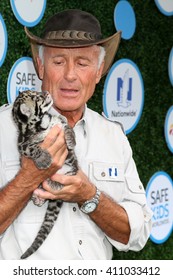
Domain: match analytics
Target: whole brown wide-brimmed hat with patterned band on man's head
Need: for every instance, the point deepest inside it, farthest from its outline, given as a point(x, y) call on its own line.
point(73, 29)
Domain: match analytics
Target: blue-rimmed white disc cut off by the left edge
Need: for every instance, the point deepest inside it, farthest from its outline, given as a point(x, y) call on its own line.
point(3, 40)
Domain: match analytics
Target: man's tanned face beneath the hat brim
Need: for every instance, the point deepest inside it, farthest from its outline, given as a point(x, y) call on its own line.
point(70, 75)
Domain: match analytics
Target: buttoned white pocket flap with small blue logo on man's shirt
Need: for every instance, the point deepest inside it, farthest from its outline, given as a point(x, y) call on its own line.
point(104, 171)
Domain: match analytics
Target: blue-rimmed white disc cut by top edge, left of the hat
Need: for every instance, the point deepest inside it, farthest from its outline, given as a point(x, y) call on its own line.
point(28, 12)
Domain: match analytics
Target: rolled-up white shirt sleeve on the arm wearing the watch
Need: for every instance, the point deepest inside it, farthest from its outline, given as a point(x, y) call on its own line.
point(135, 204)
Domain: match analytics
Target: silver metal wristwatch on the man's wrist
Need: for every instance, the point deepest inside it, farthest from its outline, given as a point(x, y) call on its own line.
point(90, 205)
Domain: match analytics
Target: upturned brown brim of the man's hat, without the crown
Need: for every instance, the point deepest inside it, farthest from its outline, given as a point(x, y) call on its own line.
point(110, 45)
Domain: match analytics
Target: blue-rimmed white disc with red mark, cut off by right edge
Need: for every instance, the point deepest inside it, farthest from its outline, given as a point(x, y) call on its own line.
point(168, 129)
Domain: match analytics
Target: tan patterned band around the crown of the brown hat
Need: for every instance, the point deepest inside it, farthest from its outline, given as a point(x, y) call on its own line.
point(72, 35)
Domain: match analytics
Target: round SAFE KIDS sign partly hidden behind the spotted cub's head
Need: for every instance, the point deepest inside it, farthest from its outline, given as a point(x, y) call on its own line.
point(22, 77)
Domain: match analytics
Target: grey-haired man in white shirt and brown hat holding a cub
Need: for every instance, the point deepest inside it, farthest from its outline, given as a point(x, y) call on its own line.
point(104, 204)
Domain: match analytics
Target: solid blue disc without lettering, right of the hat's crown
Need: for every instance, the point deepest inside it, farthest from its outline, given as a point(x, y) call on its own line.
point(124, 19)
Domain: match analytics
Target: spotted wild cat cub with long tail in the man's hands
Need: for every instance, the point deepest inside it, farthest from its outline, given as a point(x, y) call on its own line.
point(30, 113)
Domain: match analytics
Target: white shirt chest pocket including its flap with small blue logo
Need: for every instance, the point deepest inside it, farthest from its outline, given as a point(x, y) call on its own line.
point(109, 178)
